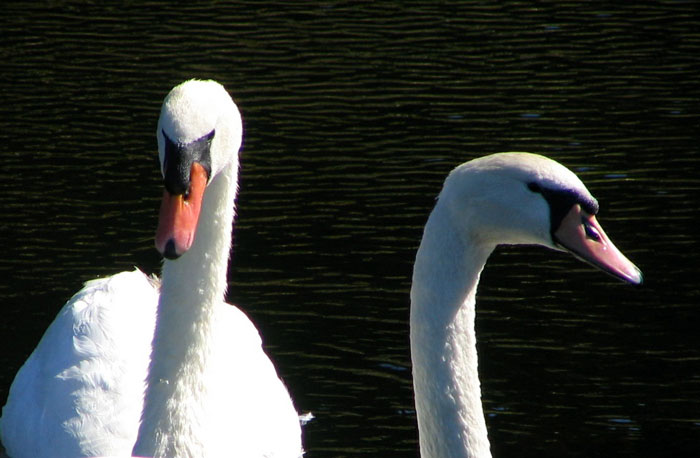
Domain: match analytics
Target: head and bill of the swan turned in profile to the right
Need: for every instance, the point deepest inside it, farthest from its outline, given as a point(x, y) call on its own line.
point(523, 198)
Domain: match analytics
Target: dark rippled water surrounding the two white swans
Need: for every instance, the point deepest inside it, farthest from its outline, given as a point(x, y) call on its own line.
point(354, 114)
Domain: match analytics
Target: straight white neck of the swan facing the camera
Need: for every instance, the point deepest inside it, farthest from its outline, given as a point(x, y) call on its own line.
point(174, 419)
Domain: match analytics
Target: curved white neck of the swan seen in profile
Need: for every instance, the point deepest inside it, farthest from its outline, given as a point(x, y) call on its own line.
point(443, 342)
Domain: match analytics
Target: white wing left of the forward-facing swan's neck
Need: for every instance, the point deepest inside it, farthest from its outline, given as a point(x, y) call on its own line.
point(80, 393)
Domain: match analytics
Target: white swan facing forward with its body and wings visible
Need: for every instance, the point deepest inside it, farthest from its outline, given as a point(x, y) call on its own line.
point(210, 390)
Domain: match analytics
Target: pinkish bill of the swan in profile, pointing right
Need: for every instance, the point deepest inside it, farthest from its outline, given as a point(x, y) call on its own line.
point(580, 233)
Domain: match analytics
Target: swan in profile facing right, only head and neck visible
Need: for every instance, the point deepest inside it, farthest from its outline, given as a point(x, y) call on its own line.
point(507, 198)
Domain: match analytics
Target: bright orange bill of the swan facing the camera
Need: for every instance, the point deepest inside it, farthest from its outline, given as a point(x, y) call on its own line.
point(179, 214)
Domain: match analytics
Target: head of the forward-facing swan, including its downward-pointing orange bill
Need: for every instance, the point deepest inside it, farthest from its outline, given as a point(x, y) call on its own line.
point(199, 135)
